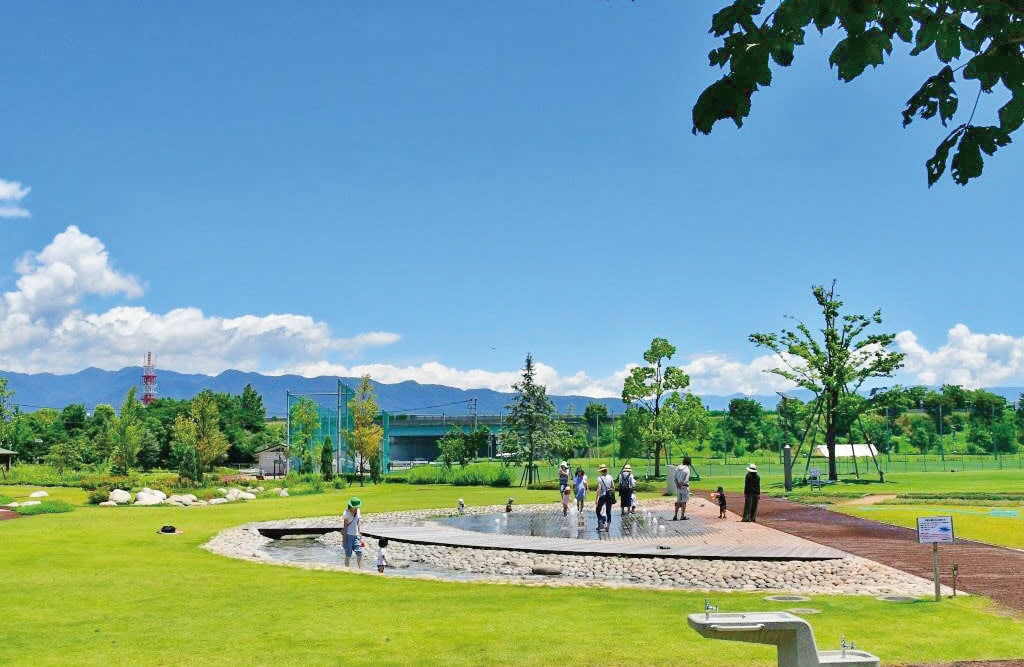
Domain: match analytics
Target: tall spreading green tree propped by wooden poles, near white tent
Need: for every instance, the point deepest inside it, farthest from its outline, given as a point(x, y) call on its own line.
point(835, 366)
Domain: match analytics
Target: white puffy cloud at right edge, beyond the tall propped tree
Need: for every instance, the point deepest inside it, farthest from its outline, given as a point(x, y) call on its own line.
point(973, 360)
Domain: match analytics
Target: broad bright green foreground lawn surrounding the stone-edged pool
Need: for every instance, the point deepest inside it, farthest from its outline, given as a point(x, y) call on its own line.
point(99, 587)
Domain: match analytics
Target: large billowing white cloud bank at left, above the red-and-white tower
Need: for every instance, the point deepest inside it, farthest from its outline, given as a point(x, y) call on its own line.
point(45, 326)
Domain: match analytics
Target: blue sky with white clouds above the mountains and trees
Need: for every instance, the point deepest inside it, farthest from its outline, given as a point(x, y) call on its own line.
point(431, 191)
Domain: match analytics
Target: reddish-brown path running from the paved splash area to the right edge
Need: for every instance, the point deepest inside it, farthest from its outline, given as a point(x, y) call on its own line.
point(985, 570)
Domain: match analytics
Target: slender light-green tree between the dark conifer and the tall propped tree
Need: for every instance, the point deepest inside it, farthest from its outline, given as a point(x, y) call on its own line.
point(648, 385)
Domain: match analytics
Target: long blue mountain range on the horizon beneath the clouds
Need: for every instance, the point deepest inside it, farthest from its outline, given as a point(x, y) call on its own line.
point(94, 387)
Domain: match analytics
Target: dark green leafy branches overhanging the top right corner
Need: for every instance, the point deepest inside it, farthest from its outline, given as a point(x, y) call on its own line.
point(985, 39)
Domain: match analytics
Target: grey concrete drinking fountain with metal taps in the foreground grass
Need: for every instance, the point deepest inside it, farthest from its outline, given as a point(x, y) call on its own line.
point(792, 637)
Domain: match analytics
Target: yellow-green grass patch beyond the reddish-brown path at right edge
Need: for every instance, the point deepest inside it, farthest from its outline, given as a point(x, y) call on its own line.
point(972, 523)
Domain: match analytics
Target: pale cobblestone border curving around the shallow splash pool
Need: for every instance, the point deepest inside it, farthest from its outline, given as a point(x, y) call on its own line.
point(851, 575)
